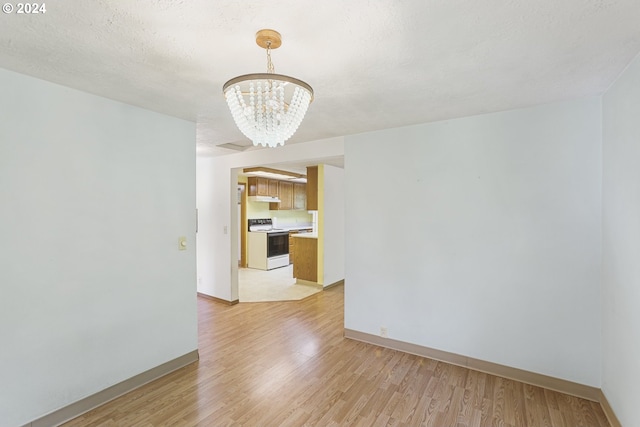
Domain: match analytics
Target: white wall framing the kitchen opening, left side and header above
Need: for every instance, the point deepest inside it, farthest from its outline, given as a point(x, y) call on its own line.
point(216, 182)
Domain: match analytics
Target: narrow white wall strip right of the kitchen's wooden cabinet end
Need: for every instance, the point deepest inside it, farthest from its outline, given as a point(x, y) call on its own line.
point(333, 227)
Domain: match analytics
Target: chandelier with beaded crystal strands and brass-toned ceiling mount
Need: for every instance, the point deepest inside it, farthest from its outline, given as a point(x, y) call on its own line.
point(268, 107)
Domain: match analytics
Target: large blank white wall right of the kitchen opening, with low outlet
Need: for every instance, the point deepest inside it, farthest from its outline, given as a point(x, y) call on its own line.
point(497, 252)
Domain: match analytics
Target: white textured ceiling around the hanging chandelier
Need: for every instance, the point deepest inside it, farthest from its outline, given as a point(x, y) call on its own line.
point(372, 64)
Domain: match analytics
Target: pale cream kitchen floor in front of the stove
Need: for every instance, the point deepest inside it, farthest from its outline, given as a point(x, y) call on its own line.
point(273, 285)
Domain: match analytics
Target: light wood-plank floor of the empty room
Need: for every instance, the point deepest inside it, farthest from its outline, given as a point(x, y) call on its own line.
point(288, 364)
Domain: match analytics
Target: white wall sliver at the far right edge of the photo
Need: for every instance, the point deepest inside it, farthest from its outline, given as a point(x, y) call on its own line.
point(621, 249)
